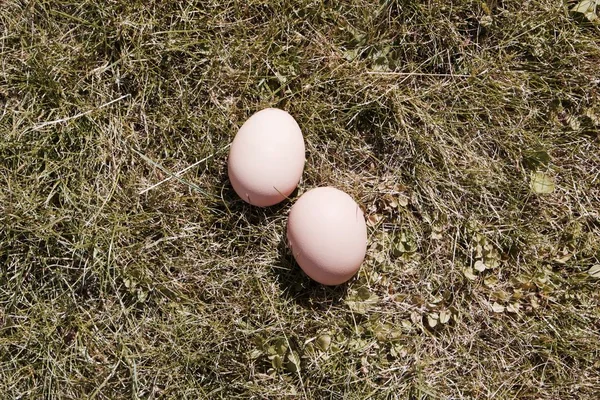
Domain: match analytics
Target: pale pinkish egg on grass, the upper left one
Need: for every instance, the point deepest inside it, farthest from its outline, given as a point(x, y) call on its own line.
point(266, 158)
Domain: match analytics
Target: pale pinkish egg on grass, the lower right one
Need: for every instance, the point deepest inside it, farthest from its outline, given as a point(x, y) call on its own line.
point(327, 234)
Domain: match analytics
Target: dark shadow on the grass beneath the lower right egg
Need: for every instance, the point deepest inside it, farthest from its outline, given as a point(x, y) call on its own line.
point(298, 287)
